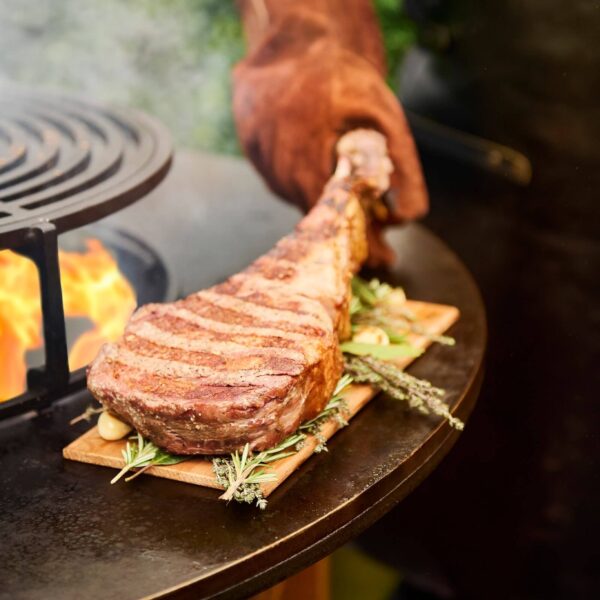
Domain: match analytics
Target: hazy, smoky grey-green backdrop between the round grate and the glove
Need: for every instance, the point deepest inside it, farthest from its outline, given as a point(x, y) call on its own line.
point(169, 57)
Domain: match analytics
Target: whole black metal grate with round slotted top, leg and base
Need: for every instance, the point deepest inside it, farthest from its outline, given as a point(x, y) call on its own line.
point(66, 162)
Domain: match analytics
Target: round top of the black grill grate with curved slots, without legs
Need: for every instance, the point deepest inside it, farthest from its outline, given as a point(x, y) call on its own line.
point(71, 162)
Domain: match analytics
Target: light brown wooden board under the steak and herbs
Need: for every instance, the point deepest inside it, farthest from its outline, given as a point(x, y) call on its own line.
point(91, 448)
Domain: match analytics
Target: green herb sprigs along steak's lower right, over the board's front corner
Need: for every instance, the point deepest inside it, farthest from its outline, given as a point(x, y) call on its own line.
point(240, 475)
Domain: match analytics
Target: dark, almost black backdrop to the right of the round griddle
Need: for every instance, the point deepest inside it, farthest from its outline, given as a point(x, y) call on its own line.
point(513, 511)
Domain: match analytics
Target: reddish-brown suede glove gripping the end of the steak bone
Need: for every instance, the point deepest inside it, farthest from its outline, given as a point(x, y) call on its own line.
point(315, 70)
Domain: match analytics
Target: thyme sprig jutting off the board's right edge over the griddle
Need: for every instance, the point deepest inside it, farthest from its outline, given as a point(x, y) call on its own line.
point(387, 377)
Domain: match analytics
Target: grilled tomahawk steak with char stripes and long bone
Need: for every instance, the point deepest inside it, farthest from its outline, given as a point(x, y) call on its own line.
point(248, 360)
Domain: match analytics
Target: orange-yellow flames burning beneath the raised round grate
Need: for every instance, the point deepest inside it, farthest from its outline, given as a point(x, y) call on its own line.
point(92, 286)
